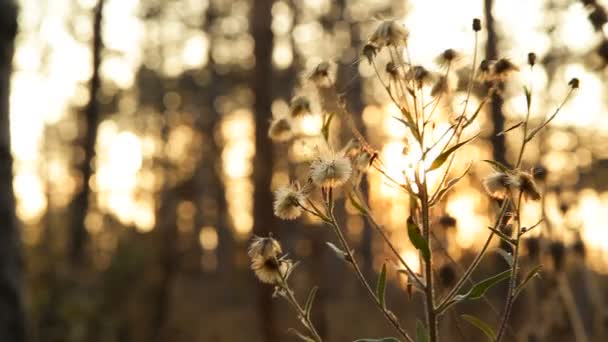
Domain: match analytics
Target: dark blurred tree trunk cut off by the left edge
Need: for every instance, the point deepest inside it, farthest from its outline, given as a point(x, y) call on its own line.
point(12, 325)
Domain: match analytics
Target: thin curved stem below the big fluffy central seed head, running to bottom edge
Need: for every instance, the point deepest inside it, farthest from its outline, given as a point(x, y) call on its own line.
point(345, 246)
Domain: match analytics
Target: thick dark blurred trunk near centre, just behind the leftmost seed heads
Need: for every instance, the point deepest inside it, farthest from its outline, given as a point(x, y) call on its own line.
point(264, 220)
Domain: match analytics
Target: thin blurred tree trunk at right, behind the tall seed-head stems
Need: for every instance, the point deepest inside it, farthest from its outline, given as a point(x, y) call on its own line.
point(498, 119)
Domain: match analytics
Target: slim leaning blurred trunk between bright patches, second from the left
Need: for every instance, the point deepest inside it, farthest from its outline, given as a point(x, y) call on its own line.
point(80, 203)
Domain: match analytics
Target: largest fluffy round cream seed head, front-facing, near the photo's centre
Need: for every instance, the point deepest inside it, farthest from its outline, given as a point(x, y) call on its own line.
point(331, 169)
